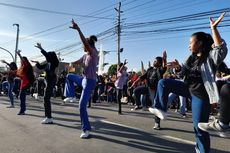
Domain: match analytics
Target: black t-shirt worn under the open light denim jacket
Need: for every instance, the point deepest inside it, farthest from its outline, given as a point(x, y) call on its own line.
point(194, 79)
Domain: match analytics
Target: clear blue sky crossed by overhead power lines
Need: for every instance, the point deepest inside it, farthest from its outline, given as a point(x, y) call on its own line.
point(142, 37)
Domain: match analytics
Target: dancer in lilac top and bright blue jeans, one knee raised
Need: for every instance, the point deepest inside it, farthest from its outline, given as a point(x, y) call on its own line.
point(87, 81)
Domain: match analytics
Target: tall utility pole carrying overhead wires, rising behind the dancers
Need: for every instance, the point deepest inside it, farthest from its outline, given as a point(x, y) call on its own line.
point(118, 45)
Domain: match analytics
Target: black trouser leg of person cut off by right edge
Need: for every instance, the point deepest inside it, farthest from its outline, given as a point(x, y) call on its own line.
point(225, 104)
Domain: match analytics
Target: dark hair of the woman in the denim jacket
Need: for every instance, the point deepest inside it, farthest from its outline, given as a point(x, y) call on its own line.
point(206, 44)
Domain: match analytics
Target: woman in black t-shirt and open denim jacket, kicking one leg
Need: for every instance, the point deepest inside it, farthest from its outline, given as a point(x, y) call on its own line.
point(199, 82)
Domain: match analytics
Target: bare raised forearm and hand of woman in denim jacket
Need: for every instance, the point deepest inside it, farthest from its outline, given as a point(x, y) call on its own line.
point(215, 33)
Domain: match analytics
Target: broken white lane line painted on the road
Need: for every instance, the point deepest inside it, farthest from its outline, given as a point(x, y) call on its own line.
point(160, 135)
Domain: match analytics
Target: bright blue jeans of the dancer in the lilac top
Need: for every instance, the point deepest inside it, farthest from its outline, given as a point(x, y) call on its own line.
point(87, 87)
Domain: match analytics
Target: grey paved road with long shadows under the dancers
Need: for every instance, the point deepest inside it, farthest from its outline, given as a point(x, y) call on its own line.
point(130, 132)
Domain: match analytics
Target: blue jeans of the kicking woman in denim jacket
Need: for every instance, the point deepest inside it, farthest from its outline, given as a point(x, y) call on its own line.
point(200, 108)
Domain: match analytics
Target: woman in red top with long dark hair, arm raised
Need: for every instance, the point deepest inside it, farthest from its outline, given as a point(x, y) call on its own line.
point(25, 73)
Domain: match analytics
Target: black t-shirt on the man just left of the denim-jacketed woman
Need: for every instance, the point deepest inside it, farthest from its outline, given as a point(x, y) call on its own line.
point(153, 75)
